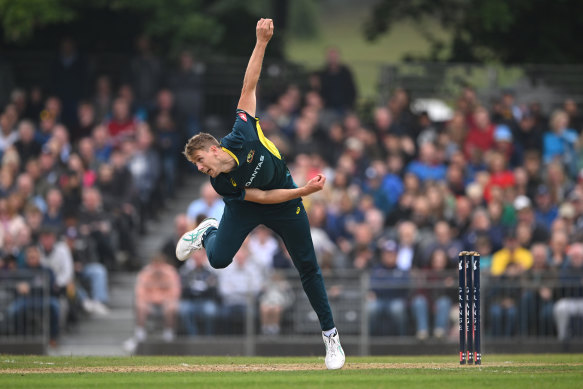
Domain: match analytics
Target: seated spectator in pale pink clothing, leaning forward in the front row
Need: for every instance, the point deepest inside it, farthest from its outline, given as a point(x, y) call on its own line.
point(157, 290)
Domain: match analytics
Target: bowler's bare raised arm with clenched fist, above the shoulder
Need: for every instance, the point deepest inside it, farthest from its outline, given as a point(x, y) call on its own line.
point(247, 101)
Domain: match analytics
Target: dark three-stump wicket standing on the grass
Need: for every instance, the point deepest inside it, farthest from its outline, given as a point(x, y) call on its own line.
point(469, 307)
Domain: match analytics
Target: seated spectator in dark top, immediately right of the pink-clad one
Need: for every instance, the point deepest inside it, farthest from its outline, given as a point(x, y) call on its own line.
point(199, 300)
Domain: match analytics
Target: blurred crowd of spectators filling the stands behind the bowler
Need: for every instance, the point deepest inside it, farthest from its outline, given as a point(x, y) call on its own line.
point(405, 194)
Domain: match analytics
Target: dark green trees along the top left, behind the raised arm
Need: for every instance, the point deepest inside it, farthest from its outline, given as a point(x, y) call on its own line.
point(210, 26)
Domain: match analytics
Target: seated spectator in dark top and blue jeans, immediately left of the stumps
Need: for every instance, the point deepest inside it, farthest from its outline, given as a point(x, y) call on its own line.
point(435, 301)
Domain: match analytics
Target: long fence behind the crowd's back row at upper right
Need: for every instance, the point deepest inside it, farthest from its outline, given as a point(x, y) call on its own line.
point(549, 85)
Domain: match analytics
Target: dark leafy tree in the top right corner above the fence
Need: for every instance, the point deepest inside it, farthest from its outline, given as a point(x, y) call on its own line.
point(517, 31)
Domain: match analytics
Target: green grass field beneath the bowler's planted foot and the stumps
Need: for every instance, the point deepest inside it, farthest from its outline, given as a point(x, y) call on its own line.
point(497, 371)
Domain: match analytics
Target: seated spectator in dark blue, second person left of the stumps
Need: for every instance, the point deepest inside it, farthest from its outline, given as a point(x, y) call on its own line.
point(387, 305)
